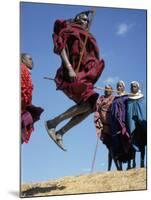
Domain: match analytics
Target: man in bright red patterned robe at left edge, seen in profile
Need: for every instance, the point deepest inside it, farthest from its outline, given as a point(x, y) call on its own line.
point(29, 112)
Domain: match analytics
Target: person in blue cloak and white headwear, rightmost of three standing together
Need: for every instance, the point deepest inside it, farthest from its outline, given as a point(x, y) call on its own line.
point(136, 121)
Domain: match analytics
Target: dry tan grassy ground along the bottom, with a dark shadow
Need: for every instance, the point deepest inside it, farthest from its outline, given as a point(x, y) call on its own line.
point(134, 179)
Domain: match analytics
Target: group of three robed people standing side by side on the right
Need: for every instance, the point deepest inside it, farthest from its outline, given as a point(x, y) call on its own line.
point(117, 119)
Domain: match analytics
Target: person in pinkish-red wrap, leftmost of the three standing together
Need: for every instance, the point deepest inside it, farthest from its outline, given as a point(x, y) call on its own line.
point(102, 120)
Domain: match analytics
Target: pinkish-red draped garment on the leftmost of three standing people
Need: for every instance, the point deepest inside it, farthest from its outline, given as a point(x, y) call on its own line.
point(103, 109)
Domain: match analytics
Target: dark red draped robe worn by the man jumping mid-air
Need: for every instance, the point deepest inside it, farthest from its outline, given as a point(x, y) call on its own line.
point(71, 36)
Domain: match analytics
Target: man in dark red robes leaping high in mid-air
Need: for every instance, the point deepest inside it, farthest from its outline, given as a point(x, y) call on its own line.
point(80, 69)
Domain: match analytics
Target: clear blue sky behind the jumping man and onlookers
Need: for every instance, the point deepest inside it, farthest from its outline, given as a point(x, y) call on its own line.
point(121, 37)
